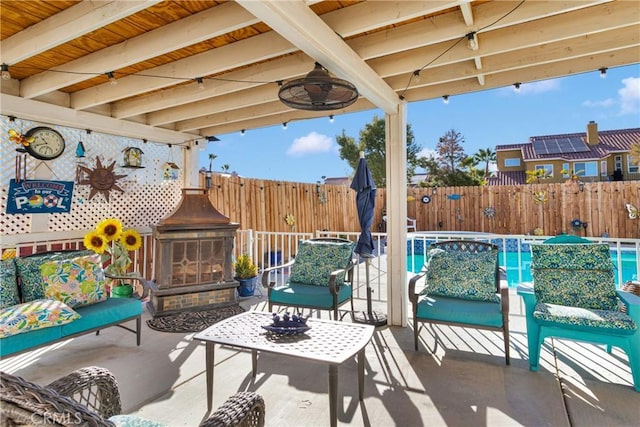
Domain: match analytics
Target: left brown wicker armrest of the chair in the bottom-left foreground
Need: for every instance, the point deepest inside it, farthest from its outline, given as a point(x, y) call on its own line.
point(93, 387)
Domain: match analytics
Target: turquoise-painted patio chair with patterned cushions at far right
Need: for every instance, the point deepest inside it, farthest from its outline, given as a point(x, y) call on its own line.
point(574, 297)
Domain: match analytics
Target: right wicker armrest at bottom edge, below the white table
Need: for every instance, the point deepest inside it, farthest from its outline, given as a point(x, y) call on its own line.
point(243, 408)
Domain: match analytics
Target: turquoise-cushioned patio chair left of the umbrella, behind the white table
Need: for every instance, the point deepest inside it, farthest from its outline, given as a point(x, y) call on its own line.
point(321, 277)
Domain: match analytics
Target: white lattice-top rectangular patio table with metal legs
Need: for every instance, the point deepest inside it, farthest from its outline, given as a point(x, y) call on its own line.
point(327, 341)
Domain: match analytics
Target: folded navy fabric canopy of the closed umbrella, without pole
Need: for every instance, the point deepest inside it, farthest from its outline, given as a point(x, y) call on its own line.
point(365, 201)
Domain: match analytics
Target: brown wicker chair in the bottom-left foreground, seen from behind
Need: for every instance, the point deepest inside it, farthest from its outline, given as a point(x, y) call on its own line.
point(90, 396)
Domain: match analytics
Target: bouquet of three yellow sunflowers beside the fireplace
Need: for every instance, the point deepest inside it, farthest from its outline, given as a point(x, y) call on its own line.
point(114, 243)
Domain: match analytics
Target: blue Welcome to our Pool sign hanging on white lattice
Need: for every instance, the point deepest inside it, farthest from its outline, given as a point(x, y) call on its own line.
point(39, 196)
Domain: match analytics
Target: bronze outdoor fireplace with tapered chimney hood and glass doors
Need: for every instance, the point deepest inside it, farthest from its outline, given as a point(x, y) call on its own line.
point(193, 267)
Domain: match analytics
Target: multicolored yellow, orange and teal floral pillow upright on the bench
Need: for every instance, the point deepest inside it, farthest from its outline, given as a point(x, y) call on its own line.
point(76, 282)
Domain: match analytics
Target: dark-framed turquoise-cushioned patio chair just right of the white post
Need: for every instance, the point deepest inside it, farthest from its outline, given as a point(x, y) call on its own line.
point(464, 286)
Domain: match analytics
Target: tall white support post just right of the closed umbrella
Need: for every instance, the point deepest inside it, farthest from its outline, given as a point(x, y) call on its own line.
point(396, 151)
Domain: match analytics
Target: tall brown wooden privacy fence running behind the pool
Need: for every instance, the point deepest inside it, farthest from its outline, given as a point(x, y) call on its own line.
point(263, 205)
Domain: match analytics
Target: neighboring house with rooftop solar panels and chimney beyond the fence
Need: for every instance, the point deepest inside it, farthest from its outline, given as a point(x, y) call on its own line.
point(592, 155)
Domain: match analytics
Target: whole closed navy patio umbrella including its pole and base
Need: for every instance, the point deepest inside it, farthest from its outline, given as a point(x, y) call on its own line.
point(366, 201)
